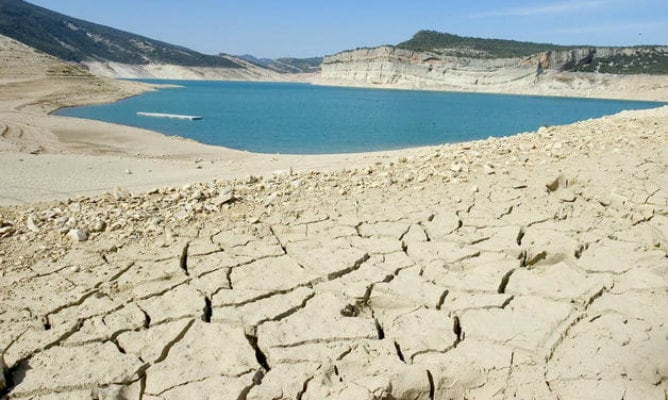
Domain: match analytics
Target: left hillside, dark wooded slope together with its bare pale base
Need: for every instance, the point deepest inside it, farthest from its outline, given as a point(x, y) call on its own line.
point(110, 52)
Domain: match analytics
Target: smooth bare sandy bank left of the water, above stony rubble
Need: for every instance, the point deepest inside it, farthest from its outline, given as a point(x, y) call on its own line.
point(90, 157)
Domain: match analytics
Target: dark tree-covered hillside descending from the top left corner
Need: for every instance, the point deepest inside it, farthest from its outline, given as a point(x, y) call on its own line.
point(72, 39)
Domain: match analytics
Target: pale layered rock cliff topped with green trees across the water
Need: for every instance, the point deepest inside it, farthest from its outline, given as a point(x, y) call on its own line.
point(551, 72)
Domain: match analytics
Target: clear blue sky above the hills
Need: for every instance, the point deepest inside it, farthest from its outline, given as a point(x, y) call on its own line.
point(301, 28)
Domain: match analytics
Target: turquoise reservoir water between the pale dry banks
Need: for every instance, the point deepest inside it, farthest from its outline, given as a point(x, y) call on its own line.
point(306, 119)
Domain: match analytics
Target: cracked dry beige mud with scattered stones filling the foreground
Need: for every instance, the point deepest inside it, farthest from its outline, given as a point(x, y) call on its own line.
point(546, 280)
